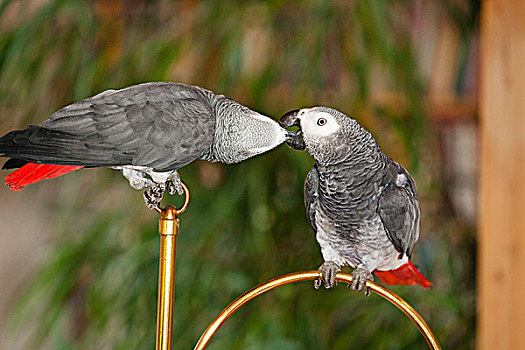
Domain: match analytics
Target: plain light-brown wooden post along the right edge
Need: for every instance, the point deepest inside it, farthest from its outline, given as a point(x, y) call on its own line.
point(501, 268)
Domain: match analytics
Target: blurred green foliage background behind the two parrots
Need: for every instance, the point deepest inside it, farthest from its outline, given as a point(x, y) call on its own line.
point(78, 254)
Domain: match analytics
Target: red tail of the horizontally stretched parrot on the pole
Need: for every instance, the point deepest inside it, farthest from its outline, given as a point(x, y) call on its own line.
point(31, 173)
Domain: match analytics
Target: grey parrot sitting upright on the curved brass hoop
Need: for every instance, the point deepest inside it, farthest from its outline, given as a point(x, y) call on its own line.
point(362, 205)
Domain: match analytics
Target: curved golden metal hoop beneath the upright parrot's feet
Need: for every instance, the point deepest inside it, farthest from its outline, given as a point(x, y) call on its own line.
point(400, 303)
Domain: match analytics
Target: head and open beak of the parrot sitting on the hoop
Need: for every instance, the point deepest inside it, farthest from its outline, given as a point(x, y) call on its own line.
point(327, 134)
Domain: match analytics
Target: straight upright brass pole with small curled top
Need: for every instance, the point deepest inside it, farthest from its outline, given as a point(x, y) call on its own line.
point(168, 231)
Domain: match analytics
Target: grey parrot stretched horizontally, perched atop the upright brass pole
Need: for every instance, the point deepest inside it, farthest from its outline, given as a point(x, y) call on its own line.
point(147, 131)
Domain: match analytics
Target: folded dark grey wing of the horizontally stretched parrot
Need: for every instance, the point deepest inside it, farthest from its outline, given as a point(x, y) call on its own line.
point(161, 125)
